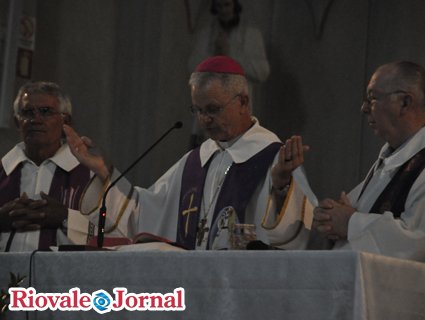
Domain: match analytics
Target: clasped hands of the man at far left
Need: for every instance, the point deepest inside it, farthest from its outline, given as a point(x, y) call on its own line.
point(24, 214)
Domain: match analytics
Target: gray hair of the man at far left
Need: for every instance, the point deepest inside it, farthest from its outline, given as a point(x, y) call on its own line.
point(43, 87)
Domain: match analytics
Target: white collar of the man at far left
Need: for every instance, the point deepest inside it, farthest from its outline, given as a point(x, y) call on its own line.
point(63, 158)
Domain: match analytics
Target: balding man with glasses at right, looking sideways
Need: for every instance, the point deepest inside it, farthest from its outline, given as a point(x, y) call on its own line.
point(385, 213)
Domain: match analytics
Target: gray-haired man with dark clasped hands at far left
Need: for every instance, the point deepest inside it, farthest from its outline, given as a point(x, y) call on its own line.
point(40, 180)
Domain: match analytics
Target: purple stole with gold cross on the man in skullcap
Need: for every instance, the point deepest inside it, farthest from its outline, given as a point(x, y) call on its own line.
point(240, 183)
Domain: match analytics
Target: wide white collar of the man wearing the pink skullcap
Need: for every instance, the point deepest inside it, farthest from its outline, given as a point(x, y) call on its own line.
point(255, 139)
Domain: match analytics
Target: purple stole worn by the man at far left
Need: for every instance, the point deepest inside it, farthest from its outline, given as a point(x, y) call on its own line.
point(66, 187)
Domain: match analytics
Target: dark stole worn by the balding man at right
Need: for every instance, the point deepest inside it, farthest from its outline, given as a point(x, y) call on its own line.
point(394, 196)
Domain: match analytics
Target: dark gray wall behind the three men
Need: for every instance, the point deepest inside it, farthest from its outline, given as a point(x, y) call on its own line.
point(124, 64)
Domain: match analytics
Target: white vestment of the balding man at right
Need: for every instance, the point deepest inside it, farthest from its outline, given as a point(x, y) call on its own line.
point(382, 233)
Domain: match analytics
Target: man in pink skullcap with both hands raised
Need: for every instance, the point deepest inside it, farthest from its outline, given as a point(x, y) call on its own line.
point(238, 176)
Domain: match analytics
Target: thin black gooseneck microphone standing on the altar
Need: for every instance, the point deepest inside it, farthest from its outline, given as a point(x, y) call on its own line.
point(102, 211)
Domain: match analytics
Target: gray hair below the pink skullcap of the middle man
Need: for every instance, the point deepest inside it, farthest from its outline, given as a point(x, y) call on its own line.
point(232, 83)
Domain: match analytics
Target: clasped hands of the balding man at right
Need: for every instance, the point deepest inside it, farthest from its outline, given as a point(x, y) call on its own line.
point(331, 217)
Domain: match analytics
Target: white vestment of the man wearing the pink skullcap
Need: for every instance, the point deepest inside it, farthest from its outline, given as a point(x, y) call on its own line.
point(132, 210)
